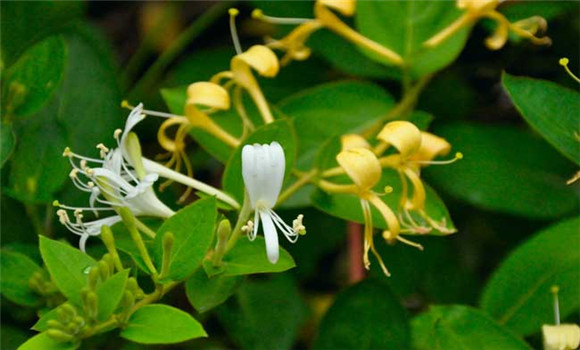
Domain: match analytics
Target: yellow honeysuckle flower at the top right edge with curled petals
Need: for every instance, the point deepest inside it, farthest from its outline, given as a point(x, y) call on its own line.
point(477, 9)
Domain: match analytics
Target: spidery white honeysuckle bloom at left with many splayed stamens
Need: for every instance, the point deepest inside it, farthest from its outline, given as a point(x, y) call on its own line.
point(118, 179)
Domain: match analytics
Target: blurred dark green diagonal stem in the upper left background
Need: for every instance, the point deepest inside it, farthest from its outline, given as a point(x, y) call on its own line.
point(195, 30)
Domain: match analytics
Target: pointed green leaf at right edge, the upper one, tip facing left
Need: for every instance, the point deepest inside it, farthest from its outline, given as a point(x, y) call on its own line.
point(550, 109)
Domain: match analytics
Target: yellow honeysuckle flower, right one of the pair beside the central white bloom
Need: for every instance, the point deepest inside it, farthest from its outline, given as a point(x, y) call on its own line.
point(416, 149)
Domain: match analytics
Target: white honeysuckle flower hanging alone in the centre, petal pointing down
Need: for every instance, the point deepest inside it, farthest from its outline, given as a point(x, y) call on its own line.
point(263, 169)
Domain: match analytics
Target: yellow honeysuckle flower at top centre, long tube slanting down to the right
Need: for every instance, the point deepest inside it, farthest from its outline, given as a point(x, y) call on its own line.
point(294, 43)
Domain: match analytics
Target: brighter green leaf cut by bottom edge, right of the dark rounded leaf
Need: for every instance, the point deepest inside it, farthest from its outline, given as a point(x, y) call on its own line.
point(462, 328)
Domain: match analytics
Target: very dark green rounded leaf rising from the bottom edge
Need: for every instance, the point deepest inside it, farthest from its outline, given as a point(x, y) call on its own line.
point(364, 316)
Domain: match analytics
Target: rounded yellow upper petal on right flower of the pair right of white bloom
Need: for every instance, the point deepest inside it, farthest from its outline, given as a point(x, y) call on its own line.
point(403, 135)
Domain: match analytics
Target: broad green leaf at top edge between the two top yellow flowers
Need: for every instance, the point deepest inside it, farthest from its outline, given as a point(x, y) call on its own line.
point(404, 26)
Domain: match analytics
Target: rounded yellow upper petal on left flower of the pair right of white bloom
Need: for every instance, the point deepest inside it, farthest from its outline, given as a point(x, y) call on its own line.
point(362, 166)
